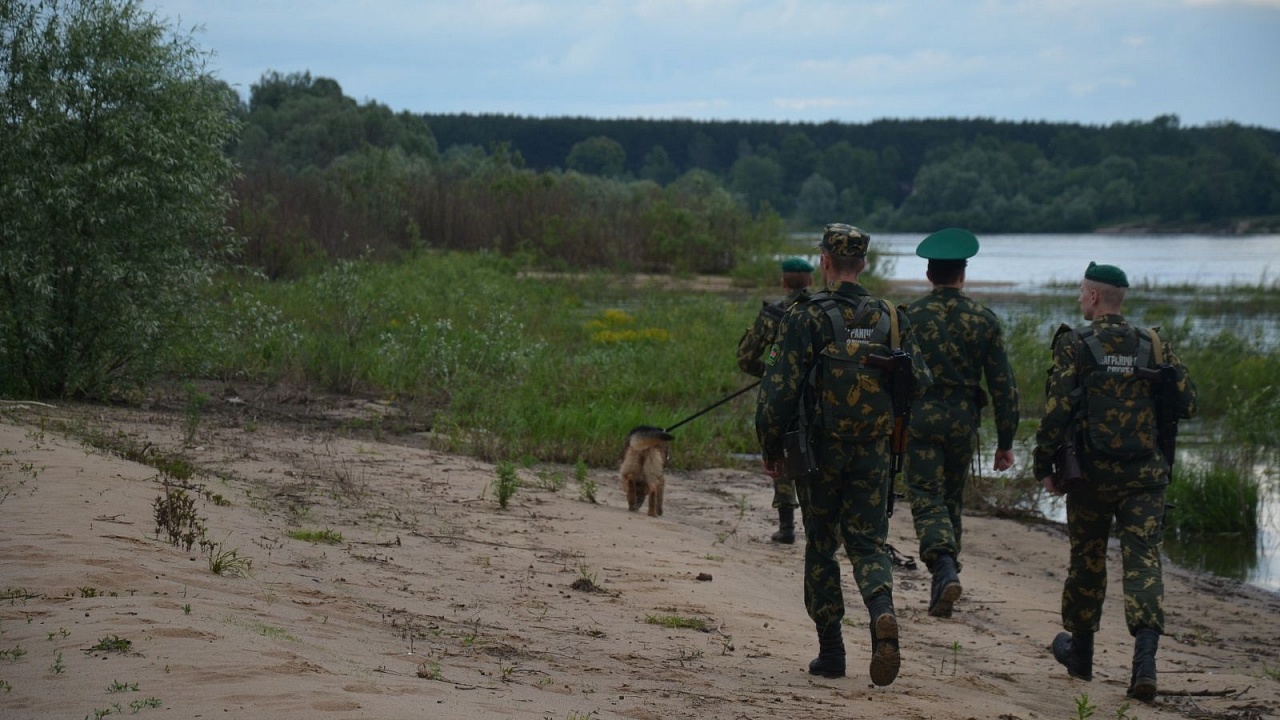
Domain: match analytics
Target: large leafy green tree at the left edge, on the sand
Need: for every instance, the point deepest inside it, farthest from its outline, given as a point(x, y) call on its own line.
point(115, 188)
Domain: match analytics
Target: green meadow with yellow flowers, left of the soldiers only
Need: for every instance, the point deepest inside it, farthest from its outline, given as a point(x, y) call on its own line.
point(505, 366)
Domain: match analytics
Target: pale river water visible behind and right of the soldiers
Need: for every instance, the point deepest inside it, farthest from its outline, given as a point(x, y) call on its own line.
point(1173, 266)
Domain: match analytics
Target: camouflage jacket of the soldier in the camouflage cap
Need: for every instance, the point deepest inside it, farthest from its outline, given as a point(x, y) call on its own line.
point(803, 335)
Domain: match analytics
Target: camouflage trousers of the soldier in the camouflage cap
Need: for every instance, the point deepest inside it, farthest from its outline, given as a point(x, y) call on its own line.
point(847, 505)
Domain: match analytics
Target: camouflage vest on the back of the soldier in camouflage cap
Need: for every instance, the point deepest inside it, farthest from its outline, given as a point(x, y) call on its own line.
point(853, 395)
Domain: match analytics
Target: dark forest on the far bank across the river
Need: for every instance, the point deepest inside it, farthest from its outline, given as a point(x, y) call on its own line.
point(920, 175)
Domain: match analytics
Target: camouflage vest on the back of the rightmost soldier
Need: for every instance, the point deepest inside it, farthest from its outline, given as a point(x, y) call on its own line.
point(1116, 407)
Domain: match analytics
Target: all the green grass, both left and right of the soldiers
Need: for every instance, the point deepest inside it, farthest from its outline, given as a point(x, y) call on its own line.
point(505, 364)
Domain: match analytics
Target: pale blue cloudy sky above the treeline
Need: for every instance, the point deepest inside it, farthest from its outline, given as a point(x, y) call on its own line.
point(1094, 62)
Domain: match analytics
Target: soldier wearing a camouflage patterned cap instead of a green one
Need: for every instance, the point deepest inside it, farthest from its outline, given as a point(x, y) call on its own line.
point(847, 502)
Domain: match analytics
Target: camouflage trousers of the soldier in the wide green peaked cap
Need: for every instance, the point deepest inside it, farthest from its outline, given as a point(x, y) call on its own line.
point(936, 472)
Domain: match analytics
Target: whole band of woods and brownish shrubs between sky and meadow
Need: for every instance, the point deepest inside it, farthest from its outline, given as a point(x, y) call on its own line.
point(324, 176)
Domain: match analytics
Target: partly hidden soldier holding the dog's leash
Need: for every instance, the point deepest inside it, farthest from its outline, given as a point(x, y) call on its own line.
point(797, 279)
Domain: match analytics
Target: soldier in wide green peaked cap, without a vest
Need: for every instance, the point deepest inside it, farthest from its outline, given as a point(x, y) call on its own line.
point(962, 341)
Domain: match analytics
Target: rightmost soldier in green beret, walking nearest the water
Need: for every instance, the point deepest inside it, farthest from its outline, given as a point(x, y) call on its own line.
point(1096, 400)
